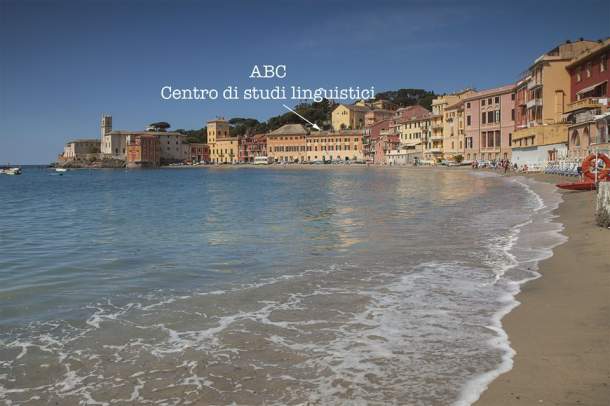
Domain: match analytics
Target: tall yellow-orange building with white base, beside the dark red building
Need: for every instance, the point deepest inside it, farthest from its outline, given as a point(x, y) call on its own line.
point(542, 95)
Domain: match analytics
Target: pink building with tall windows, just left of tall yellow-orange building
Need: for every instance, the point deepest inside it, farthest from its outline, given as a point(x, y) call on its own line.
point(489, 124)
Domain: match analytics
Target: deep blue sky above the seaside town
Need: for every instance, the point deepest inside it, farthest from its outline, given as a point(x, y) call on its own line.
point(65, 63)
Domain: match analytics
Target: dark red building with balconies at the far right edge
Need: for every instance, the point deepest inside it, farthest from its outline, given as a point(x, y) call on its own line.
point(589, 76)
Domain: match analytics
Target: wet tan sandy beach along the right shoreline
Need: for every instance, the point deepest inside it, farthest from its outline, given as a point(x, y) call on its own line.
point(561, 330)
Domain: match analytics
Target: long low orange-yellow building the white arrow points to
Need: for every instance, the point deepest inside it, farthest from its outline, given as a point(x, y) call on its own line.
point(344, 145)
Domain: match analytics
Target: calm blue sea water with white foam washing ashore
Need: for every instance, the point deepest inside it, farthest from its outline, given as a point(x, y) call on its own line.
point(252, 286)
